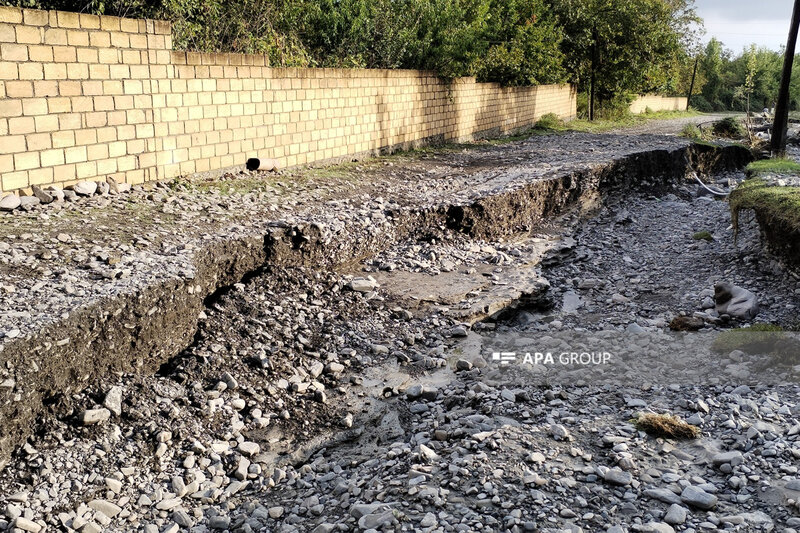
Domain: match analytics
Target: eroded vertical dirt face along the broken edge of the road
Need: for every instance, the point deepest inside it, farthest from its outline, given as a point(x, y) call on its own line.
point(140, 330)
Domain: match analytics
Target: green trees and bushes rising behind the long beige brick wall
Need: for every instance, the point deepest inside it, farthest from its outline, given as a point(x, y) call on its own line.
point(645, 43)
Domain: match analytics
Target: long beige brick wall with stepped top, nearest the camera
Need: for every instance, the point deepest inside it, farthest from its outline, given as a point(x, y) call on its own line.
point(85, 97)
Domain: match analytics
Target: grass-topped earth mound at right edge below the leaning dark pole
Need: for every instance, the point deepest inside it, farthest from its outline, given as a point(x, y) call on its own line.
point(778, 204)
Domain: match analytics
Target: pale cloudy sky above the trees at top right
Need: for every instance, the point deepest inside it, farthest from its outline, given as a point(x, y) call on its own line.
point(737, 23)
